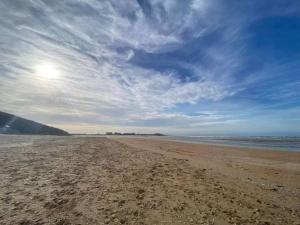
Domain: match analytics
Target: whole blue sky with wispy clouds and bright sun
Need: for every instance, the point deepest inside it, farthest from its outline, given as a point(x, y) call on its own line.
point(193, 67)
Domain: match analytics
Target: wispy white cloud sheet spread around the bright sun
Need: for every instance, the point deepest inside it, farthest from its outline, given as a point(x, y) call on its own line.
point(92, 44)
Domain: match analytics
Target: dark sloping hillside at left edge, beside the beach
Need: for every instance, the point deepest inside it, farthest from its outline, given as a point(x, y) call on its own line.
point(11, 124)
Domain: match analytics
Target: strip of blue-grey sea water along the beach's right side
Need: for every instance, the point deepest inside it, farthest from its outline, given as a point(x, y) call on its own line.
point(258, 142)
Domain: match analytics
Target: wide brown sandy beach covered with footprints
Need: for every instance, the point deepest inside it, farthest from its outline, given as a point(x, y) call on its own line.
point(94, 180)
